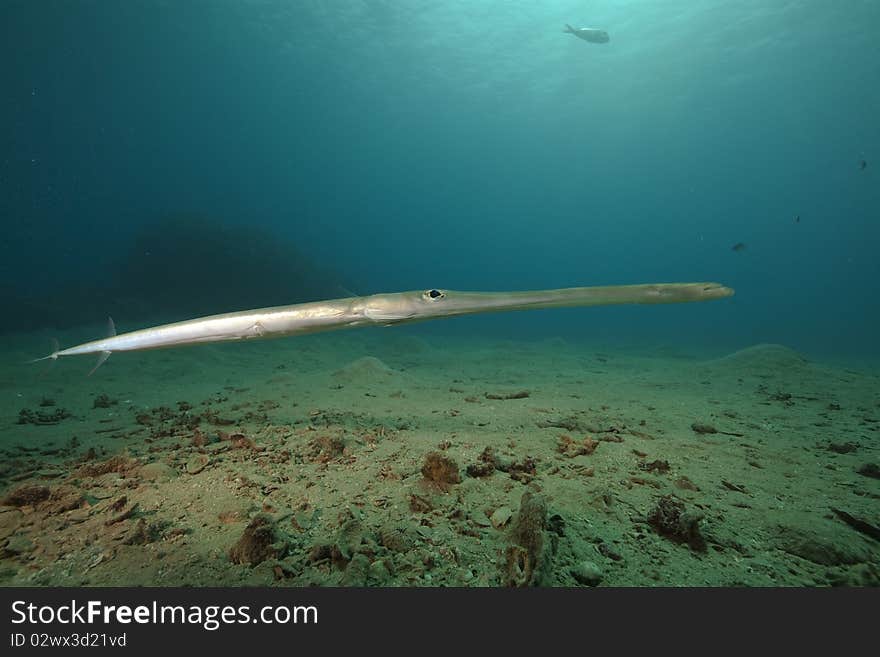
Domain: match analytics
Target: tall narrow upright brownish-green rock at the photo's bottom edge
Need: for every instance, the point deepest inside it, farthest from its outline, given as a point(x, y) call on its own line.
point(528, 557)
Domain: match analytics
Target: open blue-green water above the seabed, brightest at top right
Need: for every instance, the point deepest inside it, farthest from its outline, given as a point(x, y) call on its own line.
point(467, 144)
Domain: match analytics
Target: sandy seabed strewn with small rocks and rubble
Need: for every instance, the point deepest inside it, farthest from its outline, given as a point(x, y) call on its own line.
point(386, 459)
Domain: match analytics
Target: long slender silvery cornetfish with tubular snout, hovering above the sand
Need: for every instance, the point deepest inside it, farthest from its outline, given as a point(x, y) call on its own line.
point(380, 310)
